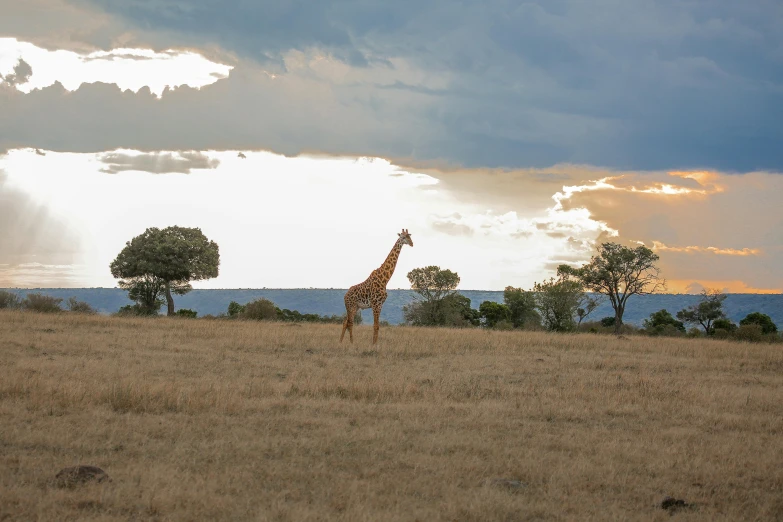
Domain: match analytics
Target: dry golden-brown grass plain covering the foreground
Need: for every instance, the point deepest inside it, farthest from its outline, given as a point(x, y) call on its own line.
point(220, 420)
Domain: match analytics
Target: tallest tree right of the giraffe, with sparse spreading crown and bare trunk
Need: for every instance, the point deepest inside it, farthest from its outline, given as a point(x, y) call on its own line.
point(619, 272)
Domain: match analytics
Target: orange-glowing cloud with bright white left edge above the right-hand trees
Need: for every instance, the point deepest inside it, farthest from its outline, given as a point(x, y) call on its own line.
point(707, 226)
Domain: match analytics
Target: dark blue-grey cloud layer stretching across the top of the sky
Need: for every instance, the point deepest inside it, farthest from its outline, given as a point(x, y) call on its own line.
point(669, 85)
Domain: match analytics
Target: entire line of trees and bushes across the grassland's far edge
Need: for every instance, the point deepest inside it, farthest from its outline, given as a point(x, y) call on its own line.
point(161, 263)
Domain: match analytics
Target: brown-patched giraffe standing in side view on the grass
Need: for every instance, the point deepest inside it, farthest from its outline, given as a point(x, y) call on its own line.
point(372, 292)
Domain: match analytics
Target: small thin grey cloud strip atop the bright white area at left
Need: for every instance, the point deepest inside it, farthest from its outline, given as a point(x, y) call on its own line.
point(157, 162)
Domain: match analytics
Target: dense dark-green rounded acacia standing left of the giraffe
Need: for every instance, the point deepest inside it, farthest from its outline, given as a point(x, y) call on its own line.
point(164, 262)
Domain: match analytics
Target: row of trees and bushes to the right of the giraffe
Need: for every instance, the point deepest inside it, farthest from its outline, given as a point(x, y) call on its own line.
point(563, 303)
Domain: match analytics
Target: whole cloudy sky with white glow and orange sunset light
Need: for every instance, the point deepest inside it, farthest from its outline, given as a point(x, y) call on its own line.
point(507, 137)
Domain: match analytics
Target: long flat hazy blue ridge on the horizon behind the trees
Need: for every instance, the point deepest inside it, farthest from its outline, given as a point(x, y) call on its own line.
point(330, 301)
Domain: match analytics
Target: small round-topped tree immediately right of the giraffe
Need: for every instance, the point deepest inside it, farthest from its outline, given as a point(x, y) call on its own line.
point(434, 286)
